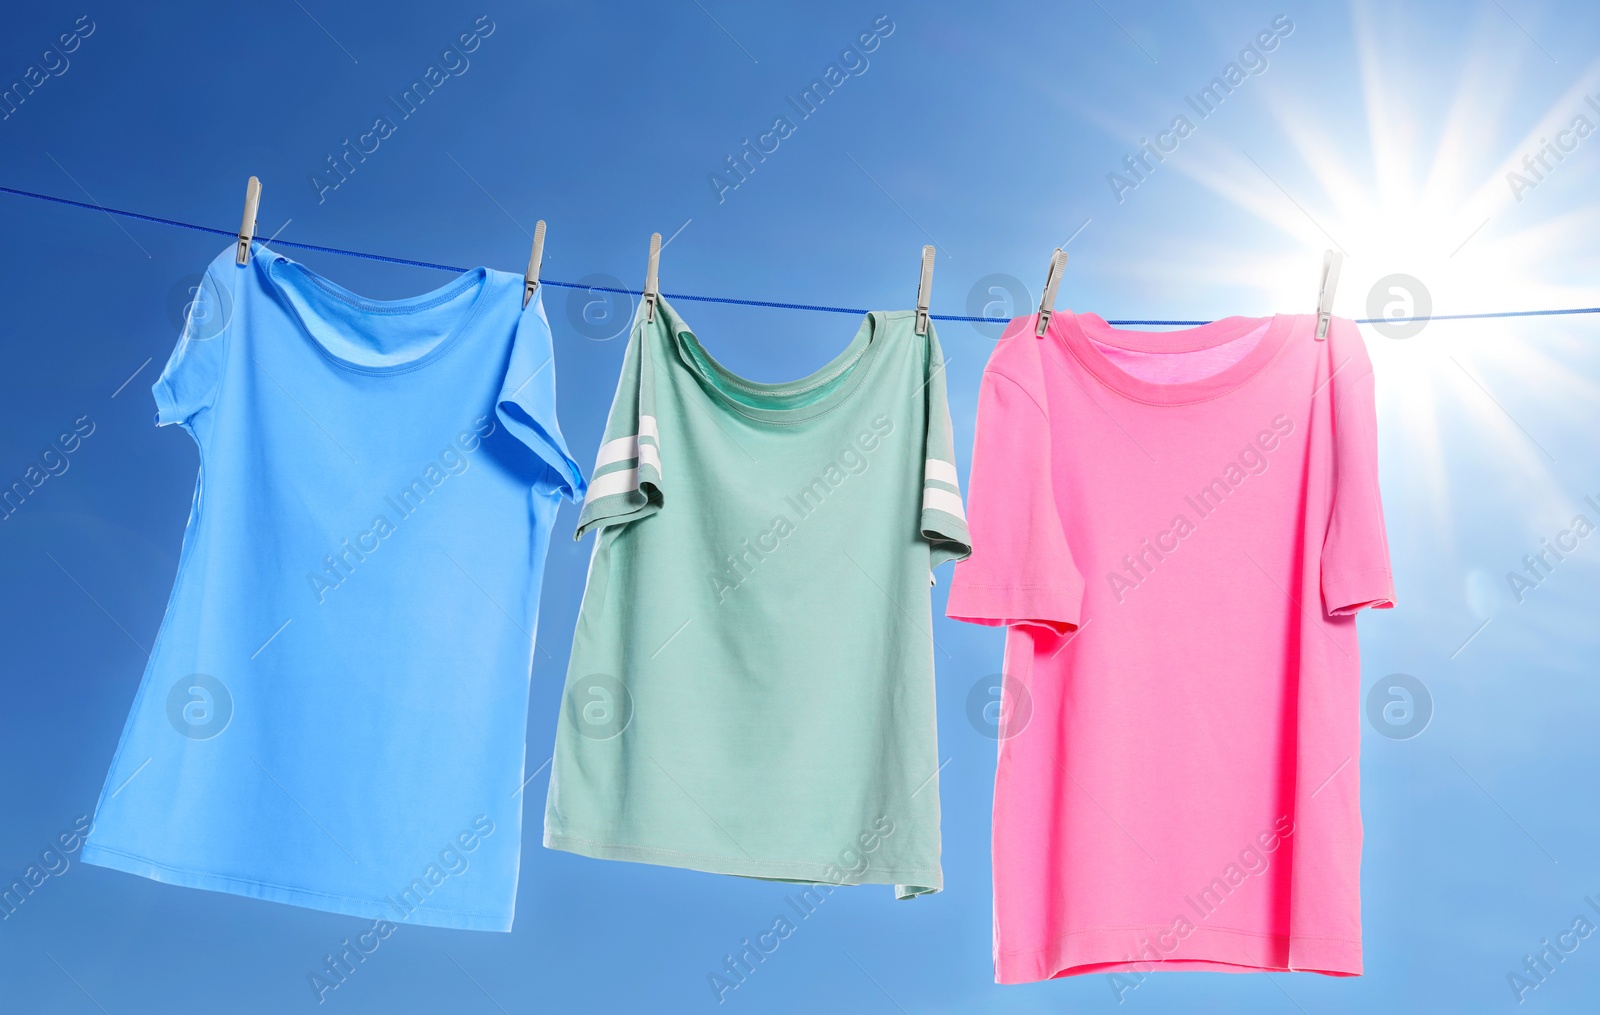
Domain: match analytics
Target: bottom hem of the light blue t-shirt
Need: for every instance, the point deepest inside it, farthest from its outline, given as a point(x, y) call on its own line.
point(310, 899)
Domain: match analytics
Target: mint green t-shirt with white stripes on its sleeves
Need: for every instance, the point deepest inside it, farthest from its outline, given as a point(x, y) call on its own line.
point(751, 684)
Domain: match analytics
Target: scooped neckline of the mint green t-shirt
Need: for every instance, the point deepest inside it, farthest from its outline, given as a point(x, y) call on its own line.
point(850, 369)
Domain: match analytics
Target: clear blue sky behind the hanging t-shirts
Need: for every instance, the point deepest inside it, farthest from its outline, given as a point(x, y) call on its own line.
point(1383, 130)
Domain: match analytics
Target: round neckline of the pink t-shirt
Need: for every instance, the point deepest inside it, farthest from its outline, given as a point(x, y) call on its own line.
point(1066, 334)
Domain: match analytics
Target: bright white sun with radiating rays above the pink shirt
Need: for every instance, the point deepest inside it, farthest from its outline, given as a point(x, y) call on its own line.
point(1444, 233)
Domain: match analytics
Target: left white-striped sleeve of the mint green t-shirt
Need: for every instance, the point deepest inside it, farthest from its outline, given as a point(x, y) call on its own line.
point(626, 481)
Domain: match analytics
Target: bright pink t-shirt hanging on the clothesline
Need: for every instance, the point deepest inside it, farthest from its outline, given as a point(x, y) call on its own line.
point(1178, 531)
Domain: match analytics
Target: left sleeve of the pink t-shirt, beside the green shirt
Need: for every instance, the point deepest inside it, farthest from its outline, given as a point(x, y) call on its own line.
point(1022, 569)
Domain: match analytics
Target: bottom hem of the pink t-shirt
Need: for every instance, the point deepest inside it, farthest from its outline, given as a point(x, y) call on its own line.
point(1142, 950)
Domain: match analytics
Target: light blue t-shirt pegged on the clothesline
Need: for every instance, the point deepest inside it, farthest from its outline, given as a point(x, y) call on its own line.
point(335, 710)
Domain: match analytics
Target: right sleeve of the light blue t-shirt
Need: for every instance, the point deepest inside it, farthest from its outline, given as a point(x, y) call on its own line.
point(527, 401)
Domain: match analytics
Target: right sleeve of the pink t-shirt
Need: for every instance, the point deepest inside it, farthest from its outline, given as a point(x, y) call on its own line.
point(1356, 548)
